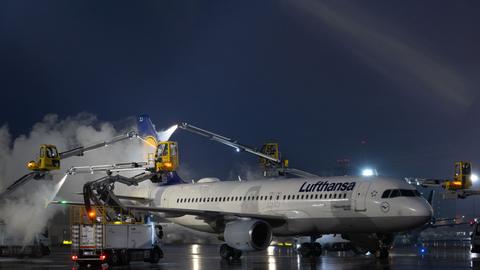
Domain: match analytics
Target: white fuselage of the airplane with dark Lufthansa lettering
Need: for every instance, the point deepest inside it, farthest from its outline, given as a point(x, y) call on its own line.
point(311, 206)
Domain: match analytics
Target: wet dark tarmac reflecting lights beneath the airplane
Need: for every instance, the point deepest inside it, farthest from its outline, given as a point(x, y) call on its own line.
point(200, 257)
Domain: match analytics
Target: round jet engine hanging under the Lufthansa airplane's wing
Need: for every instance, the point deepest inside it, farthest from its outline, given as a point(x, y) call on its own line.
point(248, 235)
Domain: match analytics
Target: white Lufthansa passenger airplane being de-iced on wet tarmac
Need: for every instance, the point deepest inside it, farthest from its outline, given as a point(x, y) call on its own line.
point(247, 214)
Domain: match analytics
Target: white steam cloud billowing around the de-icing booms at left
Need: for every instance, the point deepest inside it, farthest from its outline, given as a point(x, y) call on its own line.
point(24, 212)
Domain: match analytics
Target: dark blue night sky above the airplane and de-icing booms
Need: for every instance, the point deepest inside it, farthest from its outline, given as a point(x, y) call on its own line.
point(319, 77)
